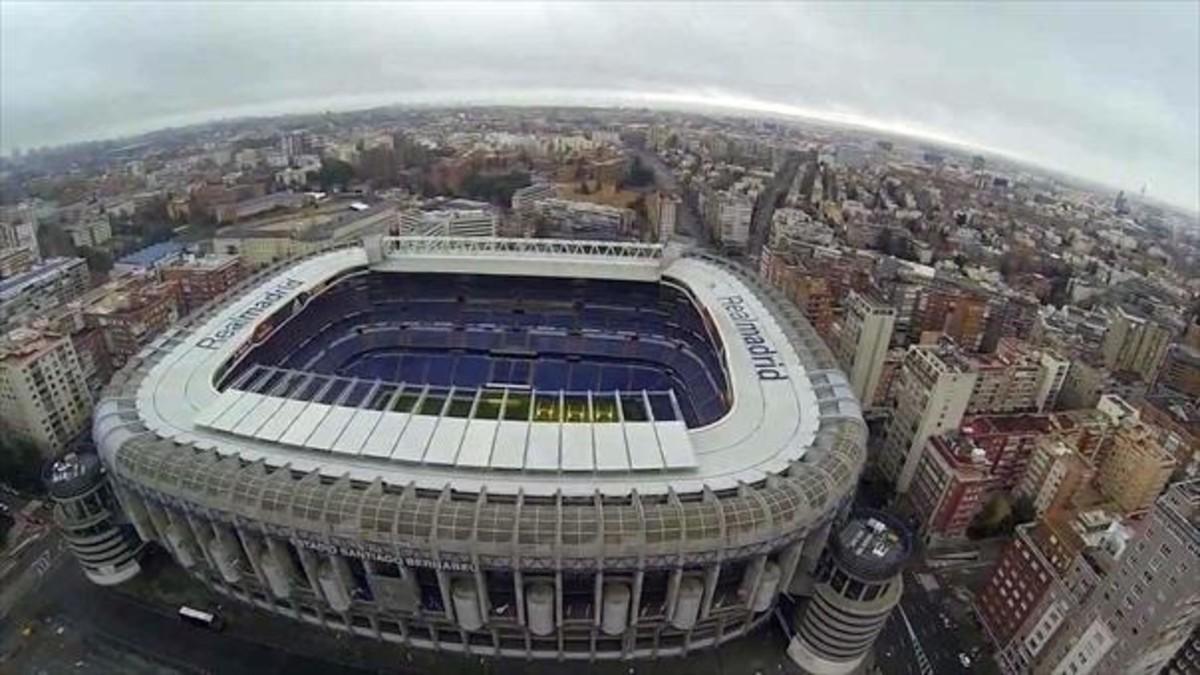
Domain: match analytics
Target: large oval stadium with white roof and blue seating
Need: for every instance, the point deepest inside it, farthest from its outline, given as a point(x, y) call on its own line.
point(527, 449)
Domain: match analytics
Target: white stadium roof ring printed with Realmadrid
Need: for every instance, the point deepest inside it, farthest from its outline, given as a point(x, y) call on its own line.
point(775, 416)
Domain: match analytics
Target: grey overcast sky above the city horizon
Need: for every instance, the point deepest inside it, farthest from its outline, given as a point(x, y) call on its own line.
point(1107, 92)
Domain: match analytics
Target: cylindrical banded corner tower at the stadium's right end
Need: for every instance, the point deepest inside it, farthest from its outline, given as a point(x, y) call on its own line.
point(859, 583)
